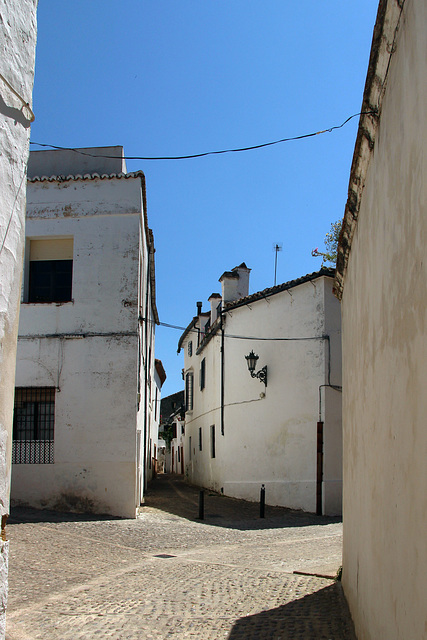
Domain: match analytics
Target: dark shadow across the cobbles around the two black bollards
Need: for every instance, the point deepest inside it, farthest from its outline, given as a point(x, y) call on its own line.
point(170, 493)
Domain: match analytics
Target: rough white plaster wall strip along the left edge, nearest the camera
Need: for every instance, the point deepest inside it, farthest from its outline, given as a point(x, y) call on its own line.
point(17, 57)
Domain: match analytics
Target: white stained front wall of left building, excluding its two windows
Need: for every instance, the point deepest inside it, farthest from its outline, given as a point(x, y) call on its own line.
point(88, 348)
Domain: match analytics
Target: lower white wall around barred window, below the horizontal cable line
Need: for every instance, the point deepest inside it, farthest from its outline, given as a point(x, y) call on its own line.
point(95, 425)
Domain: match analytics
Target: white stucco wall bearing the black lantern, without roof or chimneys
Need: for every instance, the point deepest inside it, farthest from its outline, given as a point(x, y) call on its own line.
point(270, 433)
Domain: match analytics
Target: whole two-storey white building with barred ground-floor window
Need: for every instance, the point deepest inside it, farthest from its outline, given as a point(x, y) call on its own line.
point(85, 385)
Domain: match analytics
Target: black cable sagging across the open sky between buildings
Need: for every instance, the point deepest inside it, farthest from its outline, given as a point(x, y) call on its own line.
point(212, 153)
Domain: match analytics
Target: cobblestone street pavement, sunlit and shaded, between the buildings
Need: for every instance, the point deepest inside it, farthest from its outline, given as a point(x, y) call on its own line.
point(169, 575)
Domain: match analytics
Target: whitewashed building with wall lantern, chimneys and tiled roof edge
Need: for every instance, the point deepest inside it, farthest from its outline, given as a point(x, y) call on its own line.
point(282, 427)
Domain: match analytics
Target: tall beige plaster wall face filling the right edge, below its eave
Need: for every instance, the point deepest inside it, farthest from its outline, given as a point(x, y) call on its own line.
point(385, 361)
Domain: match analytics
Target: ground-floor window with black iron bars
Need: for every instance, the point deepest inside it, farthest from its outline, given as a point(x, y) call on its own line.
point(33, 425)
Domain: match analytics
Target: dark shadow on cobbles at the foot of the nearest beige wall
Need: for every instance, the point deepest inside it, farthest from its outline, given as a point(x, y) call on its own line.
point(322, 615)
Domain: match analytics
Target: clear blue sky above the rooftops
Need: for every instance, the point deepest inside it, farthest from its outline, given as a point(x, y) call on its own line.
point(163, 77)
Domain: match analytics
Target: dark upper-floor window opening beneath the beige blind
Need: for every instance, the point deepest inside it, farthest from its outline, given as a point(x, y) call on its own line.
point(50, 281)
